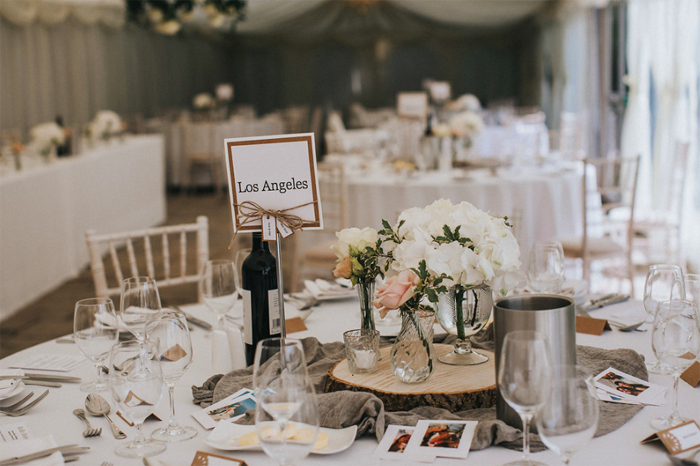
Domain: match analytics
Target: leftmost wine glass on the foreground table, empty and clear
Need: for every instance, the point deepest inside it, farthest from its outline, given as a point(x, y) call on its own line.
point(96, 330)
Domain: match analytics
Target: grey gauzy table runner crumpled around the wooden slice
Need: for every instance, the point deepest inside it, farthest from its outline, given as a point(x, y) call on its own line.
point(343, 409)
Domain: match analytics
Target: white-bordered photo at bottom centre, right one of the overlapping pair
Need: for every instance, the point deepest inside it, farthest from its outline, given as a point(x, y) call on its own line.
point(446, 439)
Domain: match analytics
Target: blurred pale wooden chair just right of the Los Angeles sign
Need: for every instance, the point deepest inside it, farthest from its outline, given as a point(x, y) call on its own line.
point(318, 259)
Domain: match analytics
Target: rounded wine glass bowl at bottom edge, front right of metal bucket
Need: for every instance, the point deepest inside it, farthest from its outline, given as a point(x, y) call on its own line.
point(569, 417)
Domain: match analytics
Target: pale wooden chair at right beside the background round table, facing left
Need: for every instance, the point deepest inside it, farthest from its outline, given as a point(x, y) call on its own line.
point(608, 184)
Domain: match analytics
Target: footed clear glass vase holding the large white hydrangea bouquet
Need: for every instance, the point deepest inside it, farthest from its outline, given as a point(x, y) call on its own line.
point(464, 312)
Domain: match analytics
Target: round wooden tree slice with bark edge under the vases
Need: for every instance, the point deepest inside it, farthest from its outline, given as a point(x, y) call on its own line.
point(455, 388)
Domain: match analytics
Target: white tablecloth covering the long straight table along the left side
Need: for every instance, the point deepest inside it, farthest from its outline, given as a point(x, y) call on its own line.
point(46, 209)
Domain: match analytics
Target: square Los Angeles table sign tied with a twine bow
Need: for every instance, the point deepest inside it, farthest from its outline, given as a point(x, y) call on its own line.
point(273, 173)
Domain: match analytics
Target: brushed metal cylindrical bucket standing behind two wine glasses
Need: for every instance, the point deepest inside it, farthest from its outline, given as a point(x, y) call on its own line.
point(552, 316)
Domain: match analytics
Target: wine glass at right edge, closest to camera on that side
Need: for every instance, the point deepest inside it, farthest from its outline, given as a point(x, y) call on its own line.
point(676, 344)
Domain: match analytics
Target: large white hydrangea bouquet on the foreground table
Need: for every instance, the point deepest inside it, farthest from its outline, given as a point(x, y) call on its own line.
point(460, 244)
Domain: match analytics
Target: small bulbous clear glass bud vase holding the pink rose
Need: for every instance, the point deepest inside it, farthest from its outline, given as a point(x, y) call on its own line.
point(412, 358)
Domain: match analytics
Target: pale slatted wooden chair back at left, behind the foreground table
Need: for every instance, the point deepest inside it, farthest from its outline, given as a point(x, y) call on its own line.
point(168, 276)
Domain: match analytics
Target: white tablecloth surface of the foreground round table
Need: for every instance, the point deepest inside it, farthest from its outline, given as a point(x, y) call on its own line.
point(326, 322)
